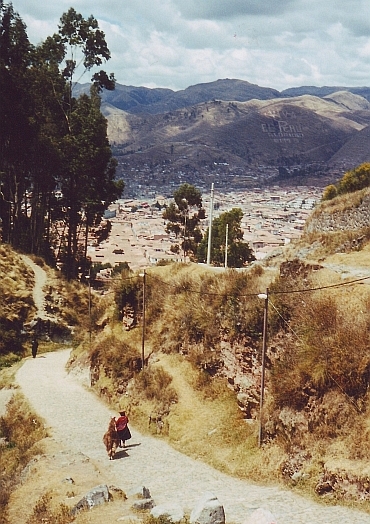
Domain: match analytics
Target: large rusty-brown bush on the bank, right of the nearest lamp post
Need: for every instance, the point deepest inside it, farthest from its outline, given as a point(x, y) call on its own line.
point(323, 356)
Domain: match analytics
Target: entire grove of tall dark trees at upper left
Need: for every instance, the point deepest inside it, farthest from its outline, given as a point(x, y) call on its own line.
point(49, 140)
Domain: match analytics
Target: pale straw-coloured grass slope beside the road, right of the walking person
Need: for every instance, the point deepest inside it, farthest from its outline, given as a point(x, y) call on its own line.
point(205, 422)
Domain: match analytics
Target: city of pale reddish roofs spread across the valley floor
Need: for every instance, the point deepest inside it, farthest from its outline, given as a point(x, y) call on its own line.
point(272, 217)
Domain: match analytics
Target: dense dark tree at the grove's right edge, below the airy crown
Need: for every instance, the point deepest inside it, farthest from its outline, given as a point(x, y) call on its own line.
point(89, 186)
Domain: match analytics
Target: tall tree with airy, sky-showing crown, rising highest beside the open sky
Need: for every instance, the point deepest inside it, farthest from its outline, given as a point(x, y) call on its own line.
point(87, 181)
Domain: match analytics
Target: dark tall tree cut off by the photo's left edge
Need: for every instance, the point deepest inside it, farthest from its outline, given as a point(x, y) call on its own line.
point(17, 127)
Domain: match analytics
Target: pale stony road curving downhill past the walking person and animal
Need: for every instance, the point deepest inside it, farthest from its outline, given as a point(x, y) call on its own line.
point(71, 412)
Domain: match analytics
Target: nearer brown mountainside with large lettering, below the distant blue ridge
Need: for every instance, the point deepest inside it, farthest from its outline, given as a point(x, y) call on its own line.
point(278, 132)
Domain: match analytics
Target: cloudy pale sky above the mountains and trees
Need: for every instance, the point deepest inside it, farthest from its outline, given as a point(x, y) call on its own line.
point(178, 43)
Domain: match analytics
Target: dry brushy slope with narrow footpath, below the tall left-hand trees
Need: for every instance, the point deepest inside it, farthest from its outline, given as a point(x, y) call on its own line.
point(66, 301)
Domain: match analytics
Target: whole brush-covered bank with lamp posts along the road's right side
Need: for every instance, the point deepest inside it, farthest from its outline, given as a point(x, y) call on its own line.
point(316, 398)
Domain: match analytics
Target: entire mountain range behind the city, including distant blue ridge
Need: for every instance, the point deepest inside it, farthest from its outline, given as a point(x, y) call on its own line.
point(239, 124)
